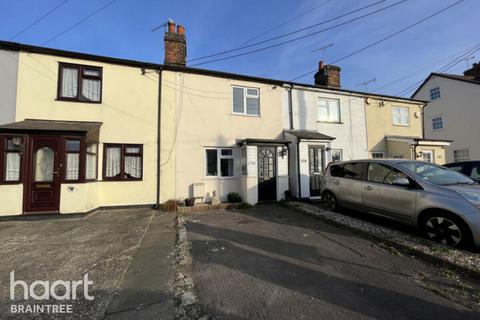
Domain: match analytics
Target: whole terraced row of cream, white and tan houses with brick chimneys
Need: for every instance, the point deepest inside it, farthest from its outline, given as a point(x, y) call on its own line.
point(81, 131)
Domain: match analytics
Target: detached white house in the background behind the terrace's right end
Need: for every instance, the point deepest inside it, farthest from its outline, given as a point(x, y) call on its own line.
point(452, 111)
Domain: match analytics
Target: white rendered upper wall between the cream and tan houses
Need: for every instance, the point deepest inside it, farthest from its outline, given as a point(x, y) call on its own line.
point(350, 134)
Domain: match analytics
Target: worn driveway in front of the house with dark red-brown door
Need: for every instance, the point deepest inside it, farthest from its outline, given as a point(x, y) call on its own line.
point(128, 254)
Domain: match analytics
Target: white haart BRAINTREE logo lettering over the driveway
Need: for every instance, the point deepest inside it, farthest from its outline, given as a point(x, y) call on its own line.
point(41, 290)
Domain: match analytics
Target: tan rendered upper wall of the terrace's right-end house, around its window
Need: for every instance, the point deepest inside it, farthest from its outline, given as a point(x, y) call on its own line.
point(380, 123)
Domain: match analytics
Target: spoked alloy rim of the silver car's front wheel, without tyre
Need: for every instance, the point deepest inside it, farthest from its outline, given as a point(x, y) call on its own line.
point(443, 230)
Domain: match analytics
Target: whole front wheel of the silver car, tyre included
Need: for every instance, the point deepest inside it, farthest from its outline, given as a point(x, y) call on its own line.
point(447, 229)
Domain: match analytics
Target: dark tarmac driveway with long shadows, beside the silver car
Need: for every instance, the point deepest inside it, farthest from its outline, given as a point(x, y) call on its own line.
point(273, 263)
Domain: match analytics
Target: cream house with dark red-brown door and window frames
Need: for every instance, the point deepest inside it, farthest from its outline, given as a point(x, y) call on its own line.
point(77, 131)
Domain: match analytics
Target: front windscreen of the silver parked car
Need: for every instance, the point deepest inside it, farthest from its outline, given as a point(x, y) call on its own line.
point(435, 174)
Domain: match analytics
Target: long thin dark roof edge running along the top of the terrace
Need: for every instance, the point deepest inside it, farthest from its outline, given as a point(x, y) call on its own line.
point(14, 46)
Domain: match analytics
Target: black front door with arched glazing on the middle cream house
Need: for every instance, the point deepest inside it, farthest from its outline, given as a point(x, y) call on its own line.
point(267, 182)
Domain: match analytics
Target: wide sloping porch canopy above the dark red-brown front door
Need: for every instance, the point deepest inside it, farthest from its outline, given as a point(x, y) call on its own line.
point(90, 130)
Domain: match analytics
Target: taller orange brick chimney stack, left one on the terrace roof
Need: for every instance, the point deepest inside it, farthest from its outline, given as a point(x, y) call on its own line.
point(175, 45)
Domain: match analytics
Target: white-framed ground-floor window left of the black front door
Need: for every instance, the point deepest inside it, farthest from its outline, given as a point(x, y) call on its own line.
point(219, 162)
